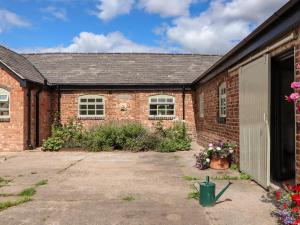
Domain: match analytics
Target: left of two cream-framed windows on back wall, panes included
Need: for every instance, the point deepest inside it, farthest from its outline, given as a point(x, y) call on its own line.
point(91, 106)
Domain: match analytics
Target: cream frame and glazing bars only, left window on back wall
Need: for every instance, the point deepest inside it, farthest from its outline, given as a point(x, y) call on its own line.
point(91, 103)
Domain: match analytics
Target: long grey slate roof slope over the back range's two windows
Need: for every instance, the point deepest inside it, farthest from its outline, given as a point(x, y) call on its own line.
point(120, 68)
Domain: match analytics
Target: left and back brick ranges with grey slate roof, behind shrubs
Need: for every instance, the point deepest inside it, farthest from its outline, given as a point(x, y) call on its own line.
point(95, 89)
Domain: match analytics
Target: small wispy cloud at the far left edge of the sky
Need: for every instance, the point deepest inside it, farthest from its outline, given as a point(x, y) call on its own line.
point(10, 19)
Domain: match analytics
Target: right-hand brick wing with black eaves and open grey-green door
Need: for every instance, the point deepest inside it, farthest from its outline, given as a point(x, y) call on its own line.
point(243, 99)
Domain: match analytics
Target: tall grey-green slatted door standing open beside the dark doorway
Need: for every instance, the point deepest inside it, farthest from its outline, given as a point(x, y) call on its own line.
point(254, 96)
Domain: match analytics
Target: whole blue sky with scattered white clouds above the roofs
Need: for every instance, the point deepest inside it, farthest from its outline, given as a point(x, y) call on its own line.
point(192, 26)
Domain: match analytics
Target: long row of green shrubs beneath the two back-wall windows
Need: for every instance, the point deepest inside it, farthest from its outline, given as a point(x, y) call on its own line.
point(128, 136)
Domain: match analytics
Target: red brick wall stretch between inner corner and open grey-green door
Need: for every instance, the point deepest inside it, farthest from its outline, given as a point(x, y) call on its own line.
point(209, 129)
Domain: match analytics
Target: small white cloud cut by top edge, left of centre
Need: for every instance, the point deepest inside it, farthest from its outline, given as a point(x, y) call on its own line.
point(108, 9)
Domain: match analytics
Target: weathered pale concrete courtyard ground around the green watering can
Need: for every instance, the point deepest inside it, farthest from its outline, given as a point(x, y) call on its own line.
point(122, 188)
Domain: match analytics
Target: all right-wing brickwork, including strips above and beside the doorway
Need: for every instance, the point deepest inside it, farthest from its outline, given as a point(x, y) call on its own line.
point(209, 129)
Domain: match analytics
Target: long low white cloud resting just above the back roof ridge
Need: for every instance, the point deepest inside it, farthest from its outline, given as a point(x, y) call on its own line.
point(93, 43)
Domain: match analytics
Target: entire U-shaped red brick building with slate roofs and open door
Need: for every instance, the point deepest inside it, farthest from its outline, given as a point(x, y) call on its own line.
point(238, 97)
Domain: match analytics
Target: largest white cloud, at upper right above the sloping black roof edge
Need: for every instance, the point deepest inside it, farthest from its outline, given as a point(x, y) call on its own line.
point(220, 27)
